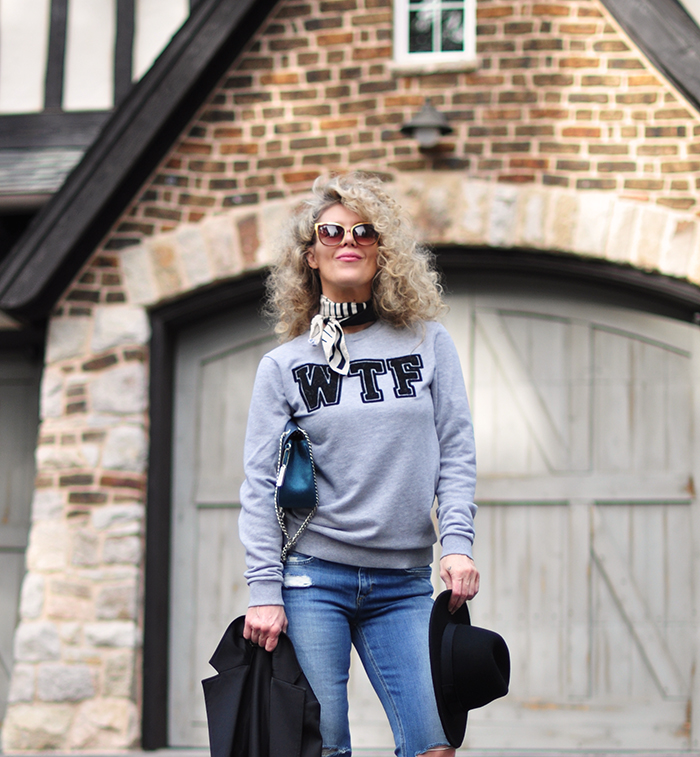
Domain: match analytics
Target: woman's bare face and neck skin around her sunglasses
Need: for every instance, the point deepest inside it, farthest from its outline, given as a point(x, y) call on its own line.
point(346, 271)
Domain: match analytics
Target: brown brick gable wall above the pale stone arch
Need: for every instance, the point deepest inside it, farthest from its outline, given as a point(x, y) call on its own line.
point(559, 97)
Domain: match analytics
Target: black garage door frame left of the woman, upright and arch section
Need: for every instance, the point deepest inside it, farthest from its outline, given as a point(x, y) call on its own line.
point(165, 323)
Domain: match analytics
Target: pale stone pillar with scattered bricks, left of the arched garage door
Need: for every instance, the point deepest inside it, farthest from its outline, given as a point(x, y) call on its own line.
point(77, 648)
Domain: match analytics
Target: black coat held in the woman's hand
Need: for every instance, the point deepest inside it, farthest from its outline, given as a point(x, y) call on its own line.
point(260, 703)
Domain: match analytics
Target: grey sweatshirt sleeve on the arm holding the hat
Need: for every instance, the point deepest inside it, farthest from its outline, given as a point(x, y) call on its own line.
point(457, 478)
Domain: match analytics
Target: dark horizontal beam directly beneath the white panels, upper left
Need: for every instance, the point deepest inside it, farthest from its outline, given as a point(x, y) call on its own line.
point(43, 130)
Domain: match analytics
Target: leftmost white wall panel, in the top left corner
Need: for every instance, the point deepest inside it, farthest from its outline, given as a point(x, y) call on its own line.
point(24, 35)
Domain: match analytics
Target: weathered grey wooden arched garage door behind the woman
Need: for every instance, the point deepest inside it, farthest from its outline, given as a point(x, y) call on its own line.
point(584, 415)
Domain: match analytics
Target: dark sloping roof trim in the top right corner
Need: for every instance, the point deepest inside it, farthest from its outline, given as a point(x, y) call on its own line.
point(668, 36)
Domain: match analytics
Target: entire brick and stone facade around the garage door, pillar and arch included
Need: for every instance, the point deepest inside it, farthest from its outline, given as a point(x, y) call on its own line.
point(565, 140)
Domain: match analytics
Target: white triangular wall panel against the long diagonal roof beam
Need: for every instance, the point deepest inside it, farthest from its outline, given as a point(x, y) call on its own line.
point(156, 22)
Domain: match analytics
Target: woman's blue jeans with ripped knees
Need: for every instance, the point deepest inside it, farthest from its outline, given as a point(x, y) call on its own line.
point(385, 613)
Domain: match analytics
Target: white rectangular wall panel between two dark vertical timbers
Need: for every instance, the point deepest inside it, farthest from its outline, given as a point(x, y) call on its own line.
point(90, 39)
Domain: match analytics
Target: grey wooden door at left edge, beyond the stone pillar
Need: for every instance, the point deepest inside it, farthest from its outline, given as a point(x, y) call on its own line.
point(18, 427)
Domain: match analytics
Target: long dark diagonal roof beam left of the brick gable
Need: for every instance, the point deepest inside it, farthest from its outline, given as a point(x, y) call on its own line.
point(138, 135)
